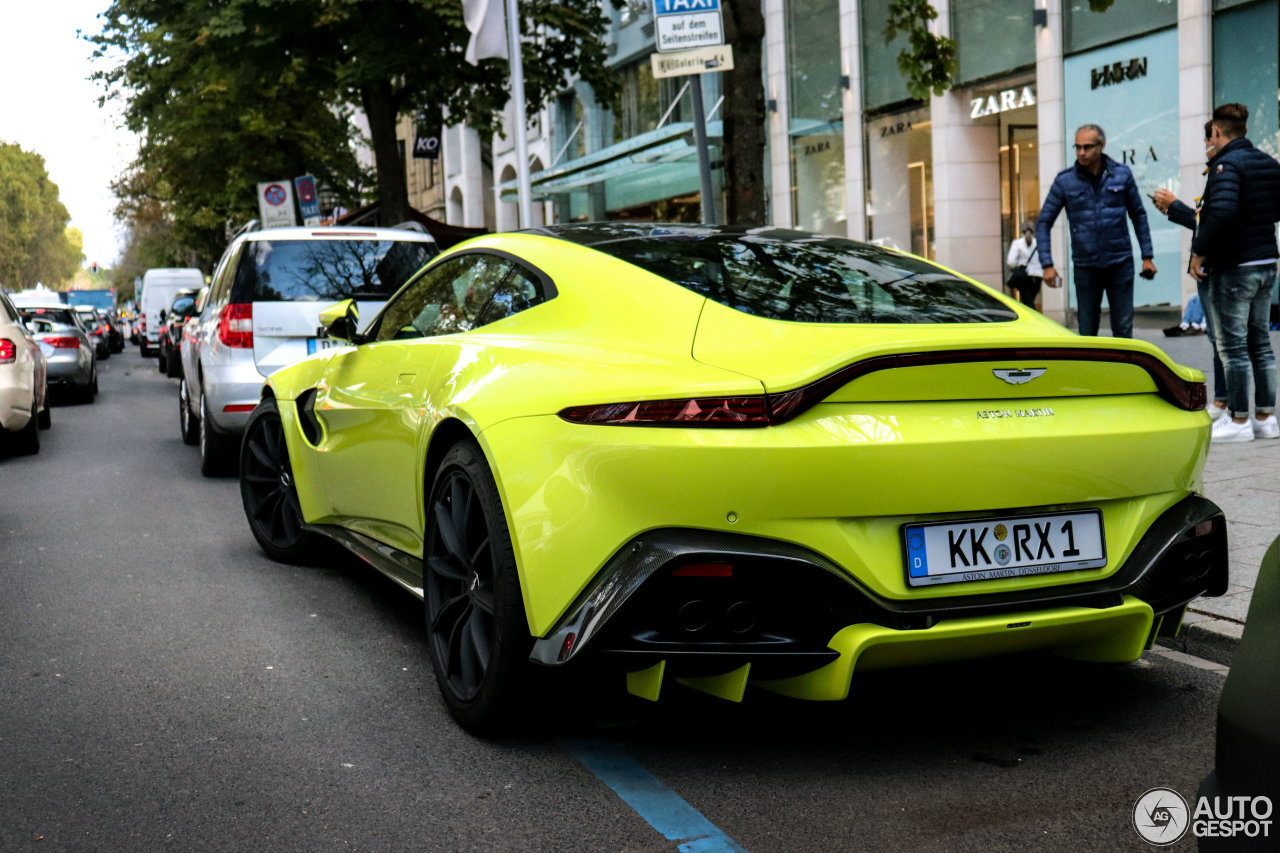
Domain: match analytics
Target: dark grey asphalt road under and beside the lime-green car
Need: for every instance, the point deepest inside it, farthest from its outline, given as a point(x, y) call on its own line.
point(168, 688)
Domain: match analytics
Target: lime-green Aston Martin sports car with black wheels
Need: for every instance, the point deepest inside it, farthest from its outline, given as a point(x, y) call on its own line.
point(730, 458)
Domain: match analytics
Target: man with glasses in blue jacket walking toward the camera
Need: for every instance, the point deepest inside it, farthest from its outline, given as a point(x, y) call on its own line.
point(1098, 194)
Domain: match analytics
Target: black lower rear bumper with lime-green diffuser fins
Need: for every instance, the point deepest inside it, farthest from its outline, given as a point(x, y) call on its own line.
point(790, 622)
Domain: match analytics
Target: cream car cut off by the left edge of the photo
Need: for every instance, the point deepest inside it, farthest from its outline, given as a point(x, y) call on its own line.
point(24, 384)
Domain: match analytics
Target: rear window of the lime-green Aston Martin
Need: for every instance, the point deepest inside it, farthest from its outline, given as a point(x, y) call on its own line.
point(811, 280)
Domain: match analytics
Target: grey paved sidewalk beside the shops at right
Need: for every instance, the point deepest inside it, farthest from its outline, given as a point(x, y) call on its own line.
point(1245, 481)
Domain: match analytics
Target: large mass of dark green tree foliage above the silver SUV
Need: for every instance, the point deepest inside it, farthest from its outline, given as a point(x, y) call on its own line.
point(231, 93)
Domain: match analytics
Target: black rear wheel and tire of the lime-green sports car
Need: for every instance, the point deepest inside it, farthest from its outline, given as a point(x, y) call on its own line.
point(478, 632)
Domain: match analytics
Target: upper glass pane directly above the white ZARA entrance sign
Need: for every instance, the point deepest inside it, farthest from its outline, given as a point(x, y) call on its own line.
point(993, 38)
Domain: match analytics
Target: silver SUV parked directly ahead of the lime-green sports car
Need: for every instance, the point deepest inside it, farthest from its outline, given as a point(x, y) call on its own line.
point(263, 313)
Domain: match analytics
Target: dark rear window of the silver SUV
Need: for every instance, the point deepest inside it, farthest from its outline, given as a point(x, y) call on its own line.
point(327, 271)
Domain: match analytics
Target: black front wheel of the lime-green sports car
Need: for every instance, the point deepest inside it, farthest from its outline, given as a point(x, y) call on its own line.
point(268, 491)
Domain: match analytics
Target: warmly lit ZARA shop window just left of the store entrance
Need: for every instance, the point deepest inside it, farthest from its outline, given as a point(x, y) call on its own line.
point(900, 183)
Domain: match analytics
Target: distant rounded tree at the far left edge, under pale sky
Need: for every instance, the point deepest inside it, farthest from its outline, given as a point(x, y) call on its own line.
point(36, 245)
